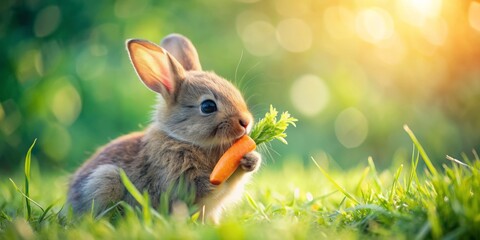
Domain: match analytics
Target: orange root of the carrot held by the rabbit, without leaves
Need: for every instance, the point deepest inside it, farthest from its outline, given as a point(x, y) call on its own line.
point(230, 160)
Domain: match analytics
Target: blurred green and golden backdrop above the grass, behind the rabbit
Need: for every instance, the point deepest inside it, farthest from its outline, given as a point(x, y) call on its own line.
point(353, 72)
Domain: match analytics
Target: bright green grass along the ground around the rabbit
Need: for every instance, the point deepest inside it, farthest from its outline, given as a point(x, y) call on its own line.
point(296, 202)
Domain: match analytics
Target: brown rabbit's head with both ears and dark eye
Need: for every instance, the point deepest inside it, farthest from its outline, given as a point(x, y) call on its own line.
point(198, 107)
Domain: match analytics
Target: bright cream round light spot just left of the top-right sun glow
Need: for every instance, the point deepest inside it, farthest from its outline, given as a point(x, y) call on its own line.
point(374, 25)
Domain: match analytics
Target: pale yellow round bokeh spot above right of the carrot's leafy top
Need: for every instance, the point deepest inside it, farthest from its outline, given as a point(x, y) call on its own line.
point(309, 95)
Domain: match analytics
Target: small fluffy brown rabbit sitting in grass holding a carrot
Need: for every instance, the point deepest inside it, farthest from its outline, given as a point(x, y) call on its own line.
point(198, 117)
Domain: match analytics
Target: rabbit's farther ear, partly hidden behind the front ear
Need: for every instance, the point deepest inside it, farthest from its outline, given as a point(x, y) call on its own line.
point(183, 50)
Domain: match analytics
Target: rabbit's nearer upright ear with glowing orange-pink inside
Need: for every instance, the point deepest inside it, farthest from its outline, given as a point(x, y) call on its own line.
point(156, 68)
